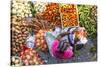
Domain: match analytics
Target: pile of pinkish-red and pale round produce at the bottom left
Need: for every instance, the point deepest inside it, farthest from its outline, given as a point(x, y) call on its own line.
point(30, 57)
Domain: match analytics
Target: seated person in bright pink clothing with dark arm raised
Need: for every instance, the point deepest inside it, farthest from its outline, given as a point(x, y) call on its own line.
point(61, 49)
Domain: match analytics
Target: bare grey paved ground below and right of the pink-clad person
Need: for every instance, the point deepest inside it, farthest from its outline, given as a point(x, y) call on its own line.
point(83, 55)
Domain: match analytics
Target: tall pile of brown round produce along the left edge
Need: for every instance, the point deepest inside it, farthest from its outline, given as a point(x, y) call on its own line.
point(19, 33)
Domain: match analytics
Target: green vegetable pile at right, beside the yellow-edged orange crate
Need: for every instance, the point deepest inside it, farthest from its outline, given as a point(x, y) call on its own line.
point(88, 19)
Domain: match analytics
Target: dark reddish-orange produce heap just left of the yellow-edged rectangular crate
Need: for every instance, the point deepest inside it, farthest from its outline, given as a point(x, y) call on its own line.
point(52, 15)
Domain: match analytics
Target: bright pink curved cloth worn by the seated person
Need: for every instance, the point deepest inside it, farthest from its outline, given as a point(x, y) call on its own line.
point(68, 53)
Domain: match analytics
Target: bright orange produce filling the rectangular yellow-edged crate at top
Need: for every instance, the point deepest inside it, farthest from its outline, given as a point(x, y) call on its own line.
point(69, 14)
